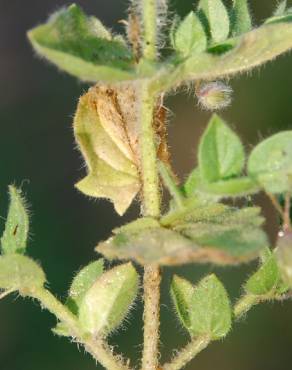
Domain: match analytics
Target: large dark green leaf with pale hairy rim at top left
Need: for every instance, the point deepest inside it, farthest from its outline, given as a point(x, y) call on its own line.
point(81, 46)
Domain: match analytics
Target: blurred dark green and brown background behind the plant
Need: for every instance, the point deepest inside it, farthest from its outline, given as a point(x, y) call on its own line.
point(38, 153)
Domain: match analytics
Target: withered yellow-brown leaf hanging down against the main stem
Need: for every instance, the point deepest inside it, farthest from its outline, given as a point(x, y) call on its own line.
point(105, 130)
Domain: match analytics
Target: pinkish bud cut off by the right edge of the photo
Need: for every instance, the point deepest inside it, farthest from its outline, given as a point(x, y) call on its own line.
point(284, 256)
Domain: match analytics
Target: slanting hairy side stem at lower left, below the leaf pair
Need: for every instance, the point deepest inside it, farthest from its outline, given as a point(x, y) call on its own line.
point(97, 347)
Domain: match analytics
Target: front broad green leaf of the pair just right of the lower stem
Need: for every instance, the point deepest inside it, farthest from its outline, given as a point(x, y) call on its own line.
point(210, 311)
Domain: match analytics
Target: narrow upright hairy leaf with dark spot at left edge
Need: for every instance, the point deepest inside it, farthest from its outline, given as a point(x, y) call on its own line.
point(15, 235)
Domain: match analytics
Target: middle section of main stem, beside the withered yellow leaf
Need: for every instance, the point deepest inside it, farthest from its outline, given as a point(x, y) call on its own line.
point(148, 155)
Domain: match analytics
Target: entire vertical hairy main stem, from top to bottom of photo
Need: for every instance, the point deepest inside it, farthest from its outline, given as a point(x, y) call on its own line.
point(151, 191)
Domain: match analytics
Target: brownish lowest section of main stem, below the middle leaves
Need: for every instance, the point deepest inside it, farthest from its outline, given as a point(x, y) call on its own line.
point(151, 281)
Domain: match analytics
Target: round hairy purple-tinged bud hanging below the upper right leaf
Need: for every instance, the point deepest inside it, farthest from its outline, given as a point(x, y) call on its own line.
point(214, 95)
